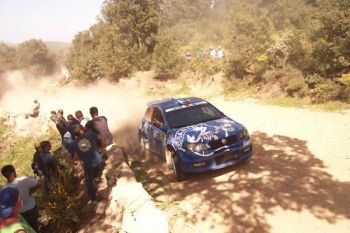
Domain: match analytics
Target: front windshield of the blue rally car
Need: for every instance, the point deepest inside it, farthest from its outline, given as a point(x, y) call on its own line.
point(193, 115)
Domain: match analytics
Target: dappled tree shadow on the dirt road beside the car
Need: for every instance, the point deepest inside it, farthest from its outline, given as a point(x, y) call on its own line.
point(282, 173)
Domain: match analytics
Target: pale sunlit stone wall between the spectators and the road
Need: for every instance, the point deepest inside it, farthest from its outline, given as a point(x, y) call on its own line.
point(125, 206)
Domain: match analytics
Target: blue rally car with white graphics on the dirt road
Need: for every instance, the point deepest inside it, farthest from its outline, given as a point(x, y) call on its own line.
point(193, 136)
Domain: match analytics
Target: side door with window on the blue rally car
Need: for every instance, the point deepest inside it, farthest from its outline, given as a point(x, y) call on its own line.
point(157, 134)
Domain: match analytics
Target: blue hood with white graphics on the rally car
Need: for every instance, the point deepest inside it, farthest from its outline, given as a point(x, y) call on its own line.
point(205, 132)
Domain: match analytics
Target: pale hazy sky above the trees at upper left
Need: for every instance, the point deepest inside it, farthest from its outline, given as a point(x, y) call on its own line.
point(49, 20)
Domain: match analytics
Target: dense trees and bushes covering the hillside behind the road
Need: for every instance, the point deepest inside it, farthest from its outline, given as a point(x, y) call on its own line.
point(293, 48)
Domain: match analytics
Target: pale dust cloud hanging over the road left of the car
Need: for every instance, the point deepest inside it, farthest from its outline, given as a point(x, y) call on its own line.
point(121, 103)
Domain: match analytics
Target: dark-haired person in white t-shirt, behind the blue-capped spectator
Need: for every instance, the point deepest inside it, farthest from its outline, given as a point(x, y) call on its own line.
point(26, 185)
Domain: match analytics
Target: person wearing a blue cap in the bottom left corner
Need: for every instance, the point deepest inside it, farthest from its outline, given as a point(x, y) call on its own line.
point(10, 207)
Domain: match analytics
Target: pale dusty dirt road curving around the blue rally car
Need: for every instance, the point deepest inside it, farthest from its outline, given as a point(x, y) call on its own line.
point(297, 181)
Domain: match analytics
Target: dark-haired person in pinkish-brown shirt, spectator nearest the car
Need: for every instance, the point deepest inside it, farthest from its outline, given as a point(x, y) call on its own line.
point(99, 125)
